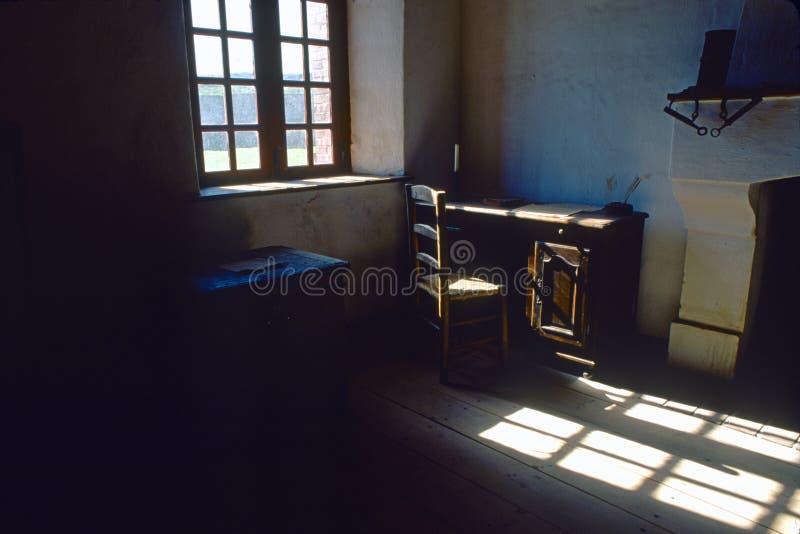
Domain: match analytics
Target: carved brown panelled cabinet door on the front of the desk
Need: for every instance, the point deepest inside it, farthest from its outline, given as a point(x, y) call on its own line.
point(557, 306)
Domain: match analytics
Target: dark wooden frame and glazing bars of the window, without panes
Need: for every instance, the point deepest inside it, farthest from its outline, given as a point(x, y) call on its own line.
point(269, 85)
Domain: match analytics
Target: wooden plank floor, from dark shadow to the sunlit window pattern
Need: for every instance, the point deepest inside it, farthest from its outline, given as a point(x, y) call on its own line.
point(534, 450)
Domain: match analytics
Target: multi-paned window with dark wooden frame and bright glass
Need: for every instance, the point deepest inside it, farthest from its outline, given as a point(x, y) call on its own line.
point(269, 88)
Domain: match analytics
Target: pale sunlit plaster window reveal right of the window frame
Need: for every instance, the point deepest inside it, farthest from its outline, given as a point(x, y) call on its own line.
point(375, 50)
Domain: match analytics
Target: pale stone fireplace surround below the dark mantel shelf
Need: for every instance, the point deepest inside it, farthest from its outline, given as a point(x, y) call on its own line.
point(716, 181)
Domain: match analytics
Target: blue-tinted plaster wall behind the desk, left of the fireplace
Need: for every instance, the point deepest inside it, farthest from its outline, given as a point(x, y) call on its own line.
point(559, 96)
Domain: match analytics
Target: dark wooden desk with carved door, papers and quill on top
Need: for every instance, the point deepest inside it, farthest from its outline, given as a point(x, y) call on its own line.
point(585, 268)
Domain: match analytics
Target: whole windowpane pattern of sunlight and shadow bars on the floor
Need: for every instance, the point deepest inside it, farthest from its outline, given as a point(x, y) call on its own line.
point(655, 449)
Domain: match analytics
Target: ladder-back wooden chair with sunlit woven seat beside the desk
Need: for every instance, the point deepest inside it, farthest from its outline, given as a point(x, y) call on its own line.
point(435, 278)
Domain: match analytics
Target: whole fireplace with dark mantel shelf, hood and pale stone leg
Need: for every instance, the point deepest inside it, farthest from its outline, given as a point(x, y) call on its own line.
point(724, 183)
